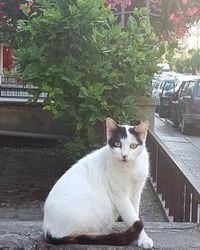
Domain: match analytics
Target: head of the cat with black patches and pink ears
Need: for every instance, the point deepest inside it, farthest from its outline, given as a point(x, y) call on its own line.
point(126, 142)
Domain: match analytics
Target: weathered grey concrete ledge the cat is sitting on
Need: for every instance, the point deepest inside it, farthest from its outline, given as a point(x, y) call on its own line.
point(27, 235)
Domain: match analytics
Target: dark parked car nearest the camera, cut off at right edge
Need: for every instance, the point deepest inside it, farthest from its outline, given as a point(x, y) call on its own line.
point(185, 106)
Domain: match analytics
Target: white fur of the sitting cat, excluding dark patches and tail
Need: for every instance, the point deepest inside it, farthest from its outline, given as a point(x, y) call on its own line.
point(91, 195)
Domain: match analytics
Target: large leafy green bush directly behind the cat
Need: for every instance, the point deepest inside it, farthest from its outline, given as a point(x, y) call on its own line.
point(90, 68)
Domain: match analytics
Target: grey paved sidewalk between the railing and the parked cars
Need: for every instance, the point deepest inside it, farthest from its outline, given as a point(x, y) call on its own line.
point(186, 154)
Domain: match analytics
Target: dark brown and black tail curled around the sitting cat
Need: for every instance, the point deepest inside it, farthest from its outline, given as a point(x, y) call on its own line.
point(115, 239)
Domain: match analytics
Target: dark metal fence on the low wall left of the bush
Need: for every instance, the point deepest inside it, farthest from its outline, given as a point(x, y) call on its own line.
point(9, 88)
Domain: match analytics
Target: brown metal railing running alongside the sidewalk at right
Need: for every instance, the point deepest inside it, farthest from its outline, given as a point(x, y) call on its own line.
point(181, 197)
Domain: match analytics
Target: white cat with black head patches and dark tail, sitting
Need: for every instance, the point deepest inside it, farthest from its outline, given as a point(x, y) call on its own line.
point(86, 201)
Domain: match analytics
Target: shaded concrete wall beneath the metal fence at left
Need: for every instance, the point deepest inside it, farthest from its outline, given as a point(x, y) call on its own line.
point(29, 119)
